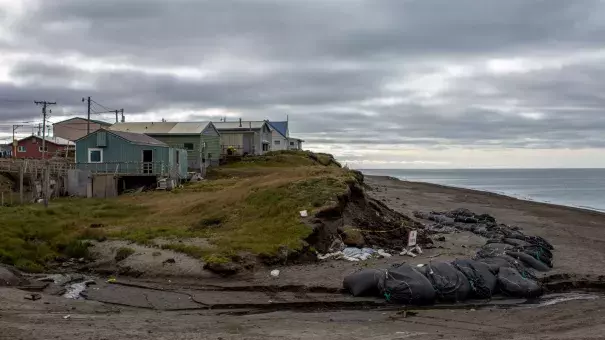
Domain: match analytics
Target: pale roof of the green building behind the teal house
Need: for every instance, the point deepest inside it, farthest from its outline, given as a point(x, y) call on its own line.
point(169, 128)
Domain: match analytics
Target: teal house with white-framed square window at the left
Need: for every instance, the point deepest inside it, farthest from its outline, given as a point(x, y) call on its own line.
point(129, 154)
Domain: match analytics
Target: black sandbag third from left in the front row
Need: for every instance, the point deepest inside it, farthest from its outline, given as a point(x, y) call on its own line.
point(449, 283)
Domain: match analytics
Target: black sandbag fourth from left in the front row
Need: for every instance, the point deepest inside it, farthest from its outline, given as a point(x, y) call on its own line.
point(480, 277)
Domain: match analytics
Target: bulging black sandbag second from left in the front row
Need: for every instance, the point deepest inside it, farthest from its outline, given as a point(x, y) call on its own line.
point(403, 284)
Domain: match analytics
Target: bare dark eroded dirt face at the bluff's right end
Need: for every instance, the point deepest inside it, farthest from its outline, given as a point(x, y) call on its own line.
point(377, 224)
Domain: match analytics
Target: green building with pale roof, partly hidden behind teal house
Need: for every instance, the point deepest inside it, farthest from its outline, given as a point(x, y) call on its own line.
point(200, 139)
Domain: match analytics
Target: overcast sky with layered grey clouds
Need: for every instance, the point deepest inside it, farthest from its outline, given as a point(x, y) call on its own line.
point(378, 83)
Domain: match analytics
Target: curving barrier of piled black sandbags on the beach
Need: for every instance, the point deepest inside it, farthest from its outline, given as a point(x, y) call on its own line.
point(505, 265)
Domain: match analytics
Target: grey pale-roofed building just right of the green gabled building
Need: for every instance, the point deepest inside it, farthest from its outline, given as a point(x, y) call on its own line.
point(245, 137)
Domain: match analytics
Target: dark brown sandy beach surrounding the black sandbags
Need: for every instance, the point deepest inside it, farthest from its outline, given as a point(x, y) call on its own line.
point(578, 236)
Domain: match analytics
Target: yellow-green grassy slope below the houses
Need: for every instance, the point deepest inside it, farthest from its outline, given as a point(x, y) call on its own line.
point(250, 206)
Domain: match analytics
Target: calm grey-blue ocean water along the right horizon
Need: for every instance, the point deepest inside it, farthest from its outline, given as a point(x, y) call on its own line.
point(584, 188)
